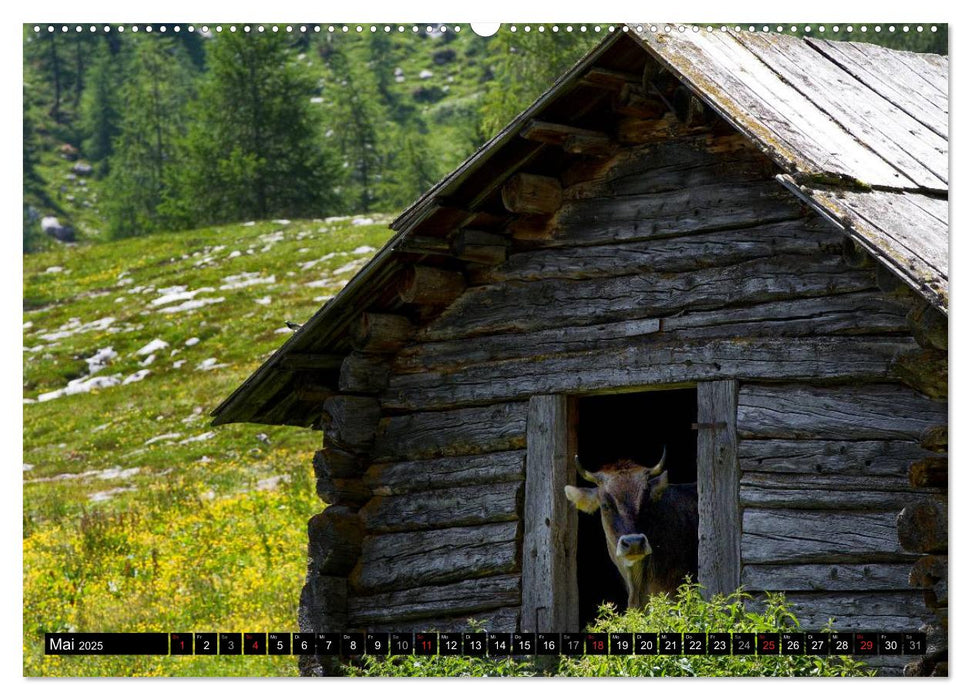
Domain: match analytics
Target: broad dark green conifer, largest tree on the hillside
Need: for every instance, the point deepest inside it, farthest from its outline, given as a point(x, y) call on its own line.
point(253, 150)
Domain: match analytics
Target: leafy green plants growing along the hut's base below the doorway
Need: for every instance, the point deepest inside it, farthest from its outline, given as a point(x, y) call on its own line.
point(688, 611)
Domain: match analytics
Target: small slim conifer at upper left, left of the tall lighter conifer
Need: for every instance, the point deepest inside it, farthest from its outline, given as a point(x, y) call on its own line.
point(100, 114)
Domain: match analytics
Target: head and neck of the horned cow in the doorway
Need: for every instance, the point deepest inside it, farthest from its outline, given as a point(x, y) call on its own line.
point(624, 493)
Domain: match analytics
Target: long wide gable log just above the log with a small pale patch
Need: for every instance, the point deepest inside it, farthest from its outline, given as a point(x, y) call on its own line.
point(549, 303)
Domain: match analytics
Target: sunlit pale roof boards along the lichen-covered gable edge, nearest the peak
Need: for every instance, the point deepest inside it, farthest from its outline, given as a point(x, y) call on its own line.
point(753, 97)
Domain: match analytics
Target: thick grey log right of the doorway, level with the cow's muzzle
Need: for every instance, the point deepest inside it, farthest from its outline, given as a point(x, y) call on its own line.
point(807, 537)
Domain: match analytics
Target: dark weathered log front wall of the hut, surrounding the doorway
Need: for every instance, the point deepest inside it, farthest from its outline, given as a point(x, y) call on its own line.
point(683, 261)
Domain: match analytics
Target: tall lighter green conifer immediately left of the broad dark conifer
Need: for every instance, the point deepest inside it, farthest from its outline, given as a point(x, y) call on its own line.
point(153, 118)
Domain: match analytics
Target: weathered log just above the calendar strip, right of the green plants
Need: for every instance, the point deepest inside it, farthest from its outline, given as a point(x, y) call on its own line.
point(886, 611)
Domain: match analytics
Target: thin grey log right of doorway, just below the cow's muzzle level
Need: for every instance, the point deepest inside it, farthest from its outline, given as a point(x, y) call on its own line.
point(826, 577)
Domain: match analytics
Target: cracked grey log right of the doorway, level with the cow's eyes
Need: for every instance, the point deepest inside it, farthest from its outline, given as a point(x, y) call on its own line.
point(828, 492)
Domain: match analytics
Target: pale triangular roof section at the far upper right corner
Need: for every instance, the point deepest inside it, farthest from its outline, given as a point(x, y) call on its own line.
point(908, 91)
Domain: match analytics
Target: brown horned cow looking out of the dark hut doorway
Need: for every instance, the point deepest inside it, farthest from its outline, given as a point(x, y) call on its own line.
point(651, 526)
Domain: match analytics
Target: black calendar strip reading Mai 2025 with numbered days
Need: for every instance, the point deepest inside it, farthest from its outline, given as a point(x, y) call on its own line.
point(492, 644)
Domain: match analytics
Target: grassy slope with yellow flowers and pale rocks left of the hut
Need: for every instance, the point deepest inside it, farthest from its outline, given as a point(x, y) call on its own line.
point(190, 532)
